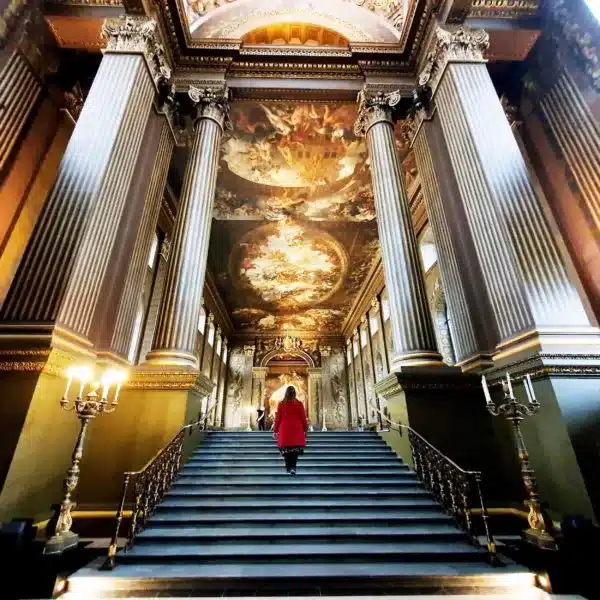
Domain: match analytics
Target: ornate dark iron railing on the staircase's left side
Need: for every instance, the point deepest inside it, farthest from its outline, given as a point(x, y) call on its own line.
point(150, 484)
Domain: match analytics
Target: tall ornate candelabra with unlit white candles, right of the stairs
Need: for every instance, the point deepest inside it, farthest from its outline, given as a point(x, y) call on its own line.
point(540, 526)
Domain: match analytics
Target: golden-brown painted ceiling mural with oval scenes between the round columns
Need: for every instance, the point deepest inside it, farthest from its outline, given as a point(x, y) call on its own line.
point(294, 233)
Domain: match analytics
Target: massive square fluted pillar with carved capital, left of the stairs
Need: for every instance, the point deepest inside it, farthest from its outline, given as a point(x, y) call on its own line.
point(60, 276)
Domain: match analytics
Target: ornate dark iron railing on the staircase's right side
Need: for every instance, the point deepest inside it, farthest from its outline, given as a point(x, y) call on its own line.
point(452, 487)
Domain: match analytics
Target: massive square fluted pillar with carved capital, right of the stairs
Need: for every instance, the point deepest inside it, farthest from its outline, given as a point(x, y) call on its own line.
point(524, 276)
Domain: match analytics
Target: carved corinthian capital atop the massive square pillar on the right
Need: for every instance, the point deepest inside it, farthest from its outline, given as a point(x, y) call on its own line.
point(459, 45)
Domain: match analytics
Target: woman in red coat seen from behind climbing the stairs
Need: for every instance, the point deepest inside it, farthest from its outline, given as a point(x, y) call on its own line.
point(290, 429)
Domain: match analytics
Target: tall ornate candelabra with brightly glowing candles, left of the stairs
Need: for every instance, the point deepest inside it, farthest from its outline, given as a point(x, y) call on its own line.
point(86, 408)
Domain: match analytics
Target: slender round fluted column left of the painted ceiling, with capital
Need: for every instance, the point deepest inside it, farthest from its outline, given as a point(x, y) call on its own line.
point(175, 336)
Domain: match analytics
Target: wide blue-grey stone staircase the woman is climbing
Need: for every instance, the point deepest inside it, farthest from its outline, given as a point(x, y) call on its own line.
point(354, 520)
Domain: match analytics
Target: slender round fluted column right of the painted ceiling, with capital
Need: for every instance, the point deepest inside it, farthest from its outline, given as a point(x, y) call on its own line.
point(412, 328)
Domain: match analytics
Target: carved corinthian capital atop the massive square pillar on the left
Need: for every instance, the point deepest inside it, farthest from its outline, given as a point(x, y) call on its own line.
point(138, 35)
